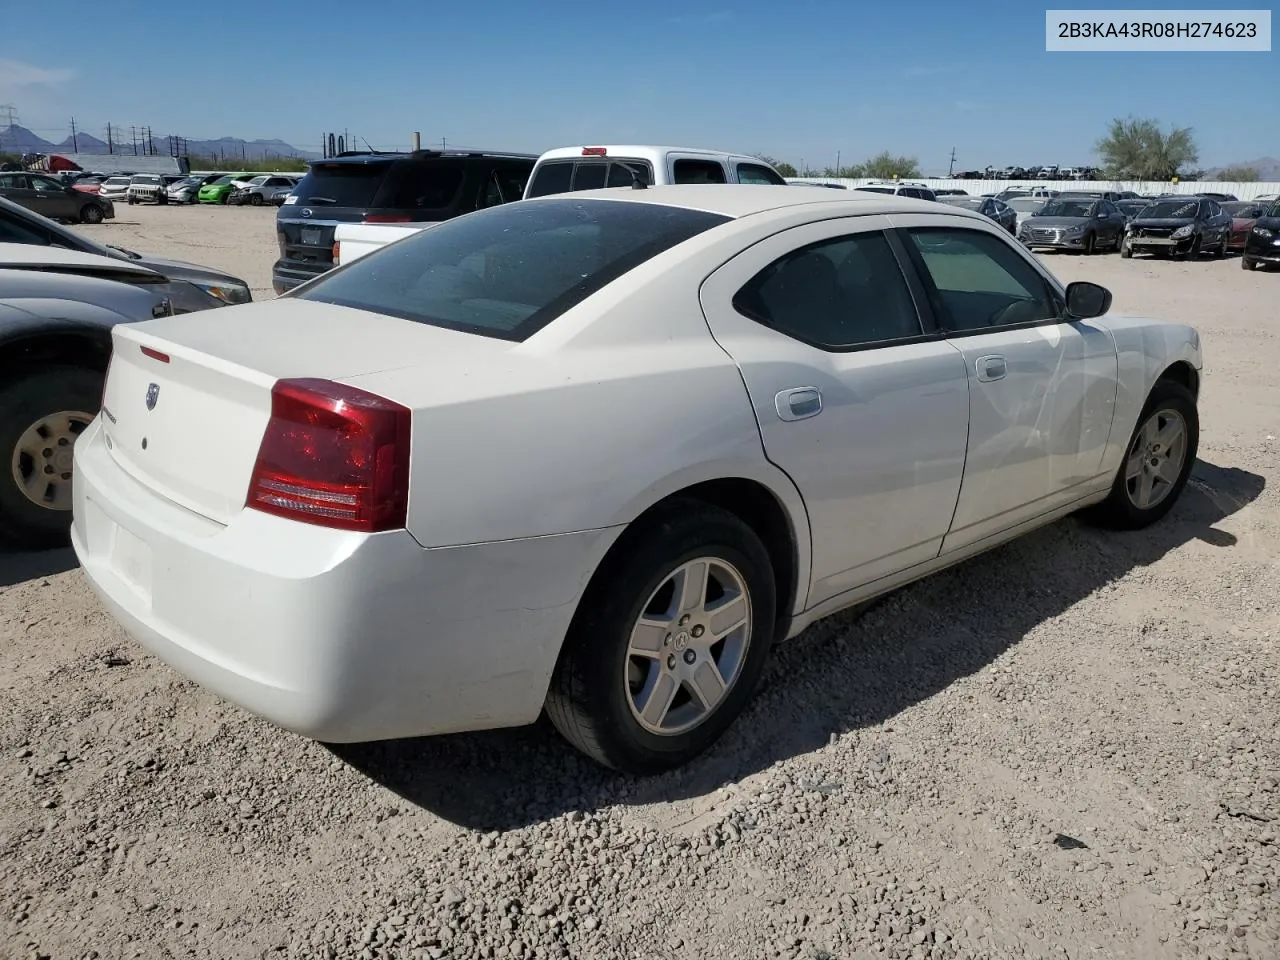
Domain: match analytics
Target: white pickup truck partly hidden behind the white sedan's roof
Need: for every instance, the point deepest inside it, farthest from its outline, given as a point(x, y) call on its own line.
point(587, 168)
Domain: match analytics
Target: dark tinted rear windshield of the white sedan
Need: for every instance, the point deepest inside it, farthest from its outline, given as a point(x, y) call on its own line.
point(509, 271)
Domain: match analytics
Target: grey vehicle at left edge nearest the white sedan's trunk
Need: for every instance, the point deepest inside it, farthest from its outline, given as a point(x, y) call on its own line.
point(56, 341)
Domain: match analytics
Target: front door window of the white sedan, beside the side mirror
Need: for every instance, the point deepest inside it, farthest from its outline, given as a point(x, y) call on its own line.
point(977, 282)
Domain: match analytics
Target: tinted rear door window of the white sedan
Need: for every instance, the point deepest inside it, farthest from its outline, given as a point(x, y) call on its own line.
point(839, 294)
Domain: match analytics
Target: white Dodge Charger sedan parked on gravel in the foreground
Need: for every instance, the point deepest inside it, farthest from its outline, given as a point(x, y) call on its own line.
point(596, 454)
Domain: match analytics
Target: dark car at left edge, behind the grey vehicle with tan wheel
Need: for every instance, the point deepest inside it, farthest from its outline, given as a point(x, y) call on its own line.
point(193, 287)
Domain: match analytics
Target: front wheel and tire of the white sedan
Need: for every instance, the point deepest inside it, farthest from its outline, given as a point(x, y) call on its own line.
point(1158, 461)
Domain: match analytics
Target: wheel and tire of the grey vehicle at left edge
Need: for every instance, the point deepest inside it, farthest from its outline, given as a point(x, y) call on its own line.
point(53, 405)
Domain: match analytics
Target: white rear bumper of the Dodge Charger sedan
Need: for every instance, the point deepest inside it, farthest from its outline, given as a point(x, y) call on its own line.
point(335, 636)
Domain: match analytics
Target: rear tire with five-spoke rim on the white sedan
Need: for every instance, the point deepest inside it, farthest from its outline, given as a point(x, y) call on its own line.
point(669, 643)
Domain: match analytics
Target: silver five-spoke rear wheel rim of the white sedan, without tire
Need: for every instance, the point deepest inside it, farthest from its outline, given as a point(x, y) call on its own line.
point(689, 647)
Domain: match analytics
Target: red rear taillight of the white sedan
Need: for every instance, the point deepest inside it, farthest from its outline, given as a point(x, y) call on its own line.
point(333, 456)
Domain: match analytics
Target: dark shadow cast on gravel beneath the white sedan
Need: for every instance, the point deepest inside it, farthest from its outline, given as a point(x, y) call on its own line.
point(851, 671)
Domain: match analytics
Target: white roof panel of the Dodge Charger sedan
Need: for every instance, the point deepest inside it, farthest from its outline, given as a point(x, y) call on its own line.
point(739, 200)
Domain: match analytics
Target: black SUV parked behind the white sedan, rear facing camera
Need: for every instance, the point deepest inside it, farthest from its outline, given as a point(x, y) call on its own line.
point(427, 186)
